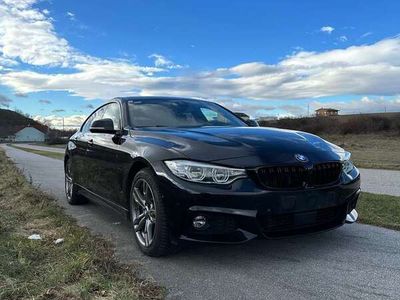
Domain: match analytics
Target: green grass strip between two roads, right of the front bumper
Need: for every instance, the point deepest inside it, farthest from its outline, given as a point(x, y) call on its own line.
point(379, 210)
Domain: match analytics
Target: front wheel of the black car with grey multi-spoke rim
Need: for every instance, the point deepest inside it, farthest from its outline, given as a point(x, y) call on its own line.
point(148, 215)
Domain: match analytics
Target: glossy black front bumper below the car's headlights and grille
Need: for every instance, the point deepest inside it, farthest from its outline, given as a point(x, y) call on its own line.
point(243, 210)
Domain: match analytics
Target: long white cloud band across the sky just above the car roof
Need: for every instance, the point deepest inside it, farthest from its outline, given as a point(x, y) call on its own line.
point(366, 69)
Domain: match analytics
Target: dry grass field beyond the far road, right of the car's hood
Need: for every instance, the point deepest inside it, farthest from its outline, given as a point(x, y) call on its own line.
point(371, 150)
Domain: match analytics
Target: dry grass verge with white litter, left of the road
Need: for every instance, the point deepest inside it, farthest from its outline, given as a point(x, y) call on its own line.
point(82, 267)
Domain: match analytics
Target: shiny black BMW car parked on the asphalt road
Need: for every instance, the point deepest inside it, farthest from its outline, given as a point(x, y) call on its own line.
point(190, 169)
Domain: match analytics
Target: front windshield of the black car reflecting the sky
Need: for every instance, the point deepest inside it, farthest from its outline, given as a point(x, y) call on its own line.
point(179, 113)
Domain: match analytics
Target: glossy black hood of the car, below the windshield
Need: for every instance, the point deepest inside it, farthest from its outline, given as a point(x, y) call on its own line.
point(243, 146)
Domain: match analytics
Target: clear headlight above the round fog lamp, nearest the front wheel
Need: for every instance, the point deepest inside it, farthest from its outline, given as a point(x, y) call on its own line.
point(204, 173)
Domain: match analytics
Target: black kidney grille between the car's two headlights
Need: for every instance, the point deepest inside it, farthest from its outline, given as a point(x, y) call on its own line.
point(284, 177)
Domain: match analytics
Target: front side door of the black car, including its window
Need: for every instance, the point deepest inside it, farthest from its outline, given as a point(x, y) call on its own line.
point(105, 169)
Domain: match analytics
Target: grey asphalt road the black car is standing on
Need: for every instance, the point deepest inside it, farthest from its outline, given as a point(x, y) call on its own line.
point(354, 261)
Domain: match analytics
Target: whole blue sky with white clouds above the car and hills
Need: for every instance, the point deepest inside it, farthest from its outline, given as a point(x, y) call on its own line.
point(61, 59)
